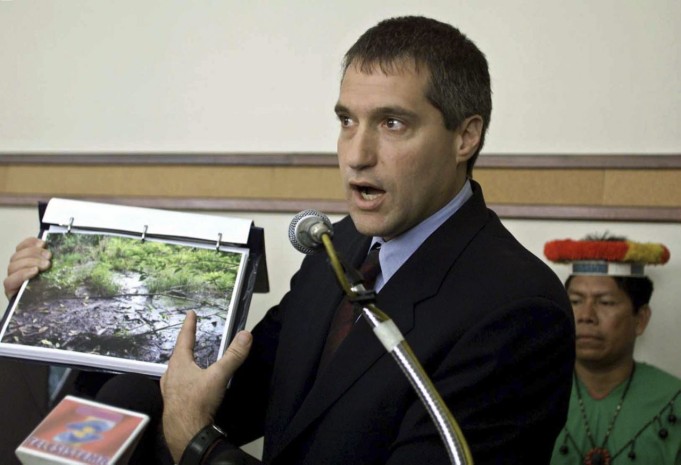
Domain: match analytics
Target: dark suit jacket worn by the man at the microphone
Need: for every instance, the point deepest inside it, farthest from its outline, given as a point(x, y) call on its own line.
point(491, 324)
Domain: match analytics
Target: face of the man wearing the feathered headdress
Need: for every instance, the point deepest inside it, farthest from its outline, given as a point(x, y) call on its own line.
point(607, 326)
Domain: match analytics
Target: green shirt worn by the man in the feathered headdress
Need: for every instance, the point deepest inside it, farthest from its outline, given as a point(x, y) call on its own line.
point(650, 406)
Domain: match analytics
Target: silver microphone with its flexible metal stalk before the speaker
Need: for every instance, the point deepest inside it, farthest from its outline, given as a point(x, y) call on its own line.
point(308, 232)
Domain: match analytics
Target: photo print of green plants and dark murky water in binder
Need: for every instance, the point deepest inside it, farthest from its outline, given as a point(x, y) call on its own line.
point(126, 298)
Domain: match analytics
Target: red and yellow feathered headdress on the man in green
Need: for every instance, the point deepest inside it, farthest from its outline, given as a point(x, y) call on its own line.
point(606, 257)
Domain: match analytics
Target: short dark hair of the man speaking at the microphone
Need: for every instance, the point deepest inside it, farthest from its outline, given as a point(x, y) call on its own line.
point(459, 77)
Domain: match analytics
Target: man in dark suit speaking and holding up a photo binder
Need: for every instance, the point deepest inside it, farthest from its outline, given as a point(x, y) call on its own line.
point(489, 321)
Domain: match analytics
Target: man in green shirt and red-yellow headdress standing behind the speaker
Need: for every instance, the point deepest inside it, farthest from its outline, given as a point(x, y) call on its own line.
point(621, 411)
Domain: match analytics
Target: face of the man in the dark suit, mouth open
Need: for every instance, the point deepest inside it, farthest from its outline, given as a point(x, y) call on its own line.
point(398, 161)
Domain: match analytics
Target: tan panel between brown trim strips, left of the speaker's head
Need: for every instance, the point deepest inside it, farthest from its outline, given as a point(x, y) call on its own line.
point(173, 181)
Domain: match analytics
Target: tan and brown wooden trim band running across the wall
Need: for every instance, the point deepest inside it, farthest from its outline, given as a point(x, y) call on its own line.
point(571, 187)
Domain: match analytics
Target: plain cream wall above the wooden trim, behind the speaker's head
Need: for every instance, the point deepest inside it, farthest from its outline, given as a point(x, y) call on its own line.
point(569, 77)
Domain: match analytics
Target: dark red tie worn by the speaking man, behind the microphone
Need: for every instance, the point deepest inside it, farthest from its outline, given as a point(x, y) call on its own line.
point(344, 318)
